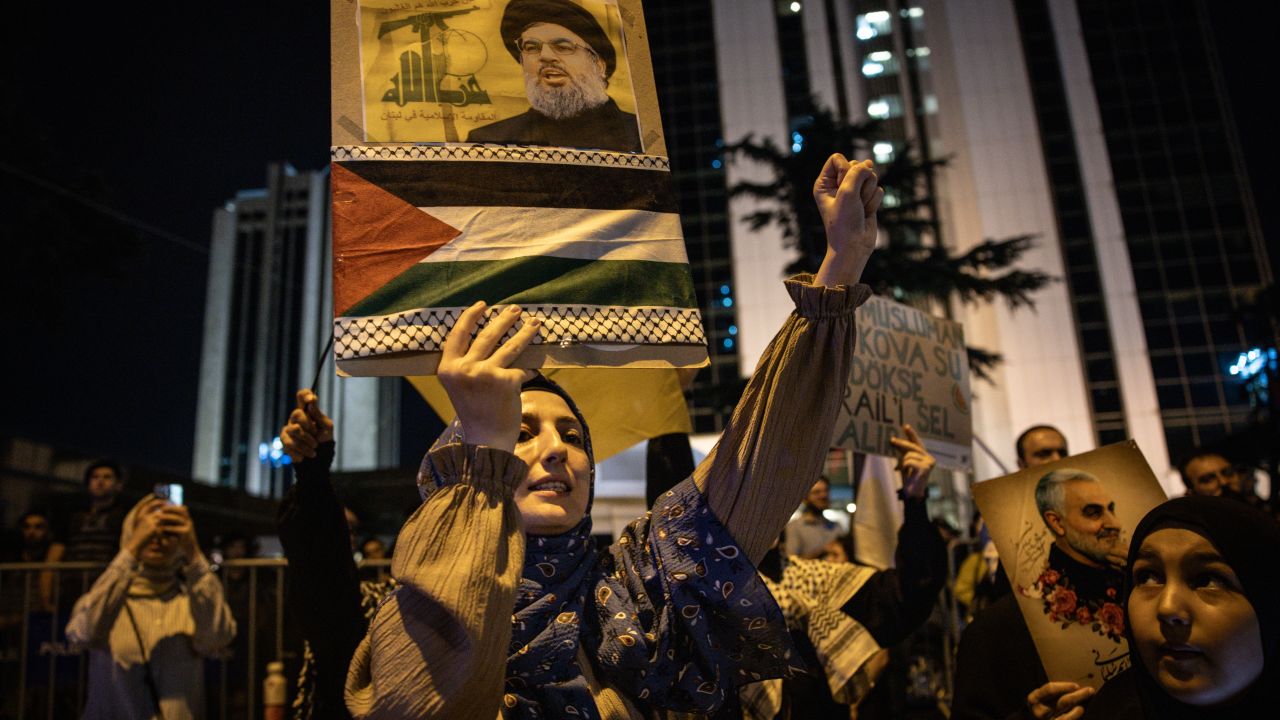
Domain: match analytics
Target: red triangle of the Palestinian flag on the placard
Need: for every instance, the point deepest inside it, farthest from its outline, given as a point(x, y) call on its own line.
point(376, 238)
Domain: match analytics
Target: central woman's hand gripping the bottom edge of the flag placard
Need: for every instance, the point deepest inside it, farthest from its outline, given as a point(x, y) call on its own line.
point(479, 379)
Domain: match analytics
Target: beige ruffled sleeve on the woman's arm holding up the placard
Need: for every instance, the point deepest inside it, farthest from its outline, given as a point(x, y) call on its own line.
point(437, 648)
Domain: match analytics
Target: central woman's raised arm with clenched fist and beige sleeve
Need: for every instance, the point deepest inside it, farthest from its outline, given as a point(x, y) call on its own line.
point(778, 440)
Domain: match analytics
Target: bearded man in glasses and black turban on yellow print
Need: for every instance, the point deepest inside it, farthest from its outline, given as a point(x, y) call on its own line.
point(568, 61)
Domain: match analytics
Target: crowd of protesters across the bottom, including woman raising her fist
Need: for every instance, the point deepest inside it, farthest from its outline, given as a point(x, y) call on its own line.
point(723, 601)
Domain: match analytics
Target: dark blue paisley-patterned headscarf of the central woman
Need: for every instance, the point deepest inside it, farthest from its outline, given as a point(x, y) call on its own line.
point(674, 613)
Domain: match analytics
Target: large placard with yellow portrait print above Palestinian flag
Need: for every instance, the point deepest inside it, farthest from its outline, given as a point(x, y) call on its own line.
point(509, 152)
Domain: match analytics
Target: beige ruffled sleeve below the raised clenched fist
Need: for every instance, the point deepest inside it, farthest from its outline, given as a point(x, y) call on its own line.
point(778, 440)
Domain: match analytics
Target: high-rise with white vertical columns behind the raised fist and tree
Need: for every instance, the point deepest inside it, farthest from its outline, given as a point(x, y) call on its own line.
point(1100, 127)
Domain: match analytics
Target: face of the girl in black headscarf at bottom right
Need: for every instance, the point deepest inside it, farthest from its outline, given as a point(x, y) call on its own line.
point(1196, 632)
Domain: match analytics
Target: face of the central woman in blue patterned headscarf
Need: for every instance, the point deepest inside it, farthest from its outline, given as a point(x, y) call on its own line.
point(552, 443)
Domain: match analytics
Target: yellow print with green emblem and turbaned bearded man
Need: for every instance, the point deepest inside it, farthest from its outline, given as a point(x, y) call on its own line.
point(522, 72)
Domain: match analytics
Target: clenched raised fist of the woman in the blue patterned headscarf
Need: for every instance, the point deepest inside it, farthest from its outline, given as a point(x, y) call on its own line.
point(848, 197)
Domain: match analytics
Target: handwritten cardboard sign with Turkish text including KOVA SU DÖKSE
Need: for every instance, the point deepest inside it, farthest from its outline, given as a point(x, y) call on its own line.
point(908, 368)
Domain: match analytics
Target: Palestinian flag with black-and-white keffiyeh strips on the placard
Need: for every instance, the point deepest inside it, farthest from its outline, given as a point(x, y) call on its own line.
point(589, 241)
